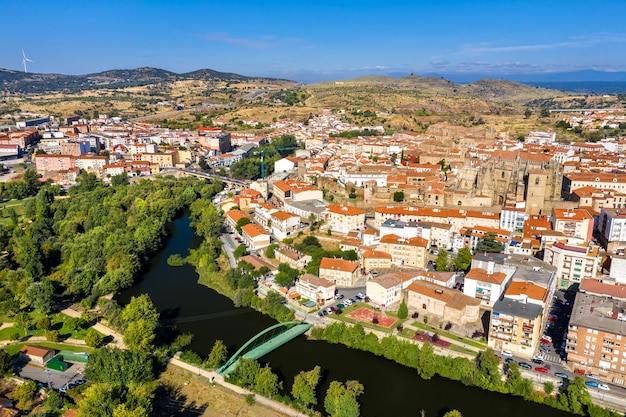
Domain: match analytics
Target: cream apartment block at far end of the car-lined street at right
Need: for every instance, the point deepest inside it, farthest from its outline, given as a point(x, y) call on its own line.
point(572, 261)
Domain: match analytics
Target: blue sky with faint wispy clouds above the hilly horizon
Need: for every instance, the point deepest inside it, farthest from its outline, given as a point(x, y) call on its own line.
point(310, 40)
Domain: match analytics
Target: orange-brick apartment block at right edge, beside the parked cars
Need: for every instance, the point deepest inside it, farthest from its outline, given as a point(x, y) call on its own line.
point(596, 335)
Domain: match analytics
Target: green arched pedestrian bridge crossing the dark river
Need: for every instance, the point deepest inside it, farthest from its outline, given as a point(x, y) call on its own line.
point(264, 342)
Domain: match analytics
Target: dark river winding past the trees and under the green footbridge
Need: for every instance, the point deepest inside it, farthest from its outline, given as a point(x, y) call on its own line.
point(390, 389)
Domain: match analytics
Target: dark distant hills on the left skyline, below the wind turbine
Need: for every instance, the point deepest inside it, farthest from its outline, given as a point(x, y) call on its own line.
point(21, 82)
